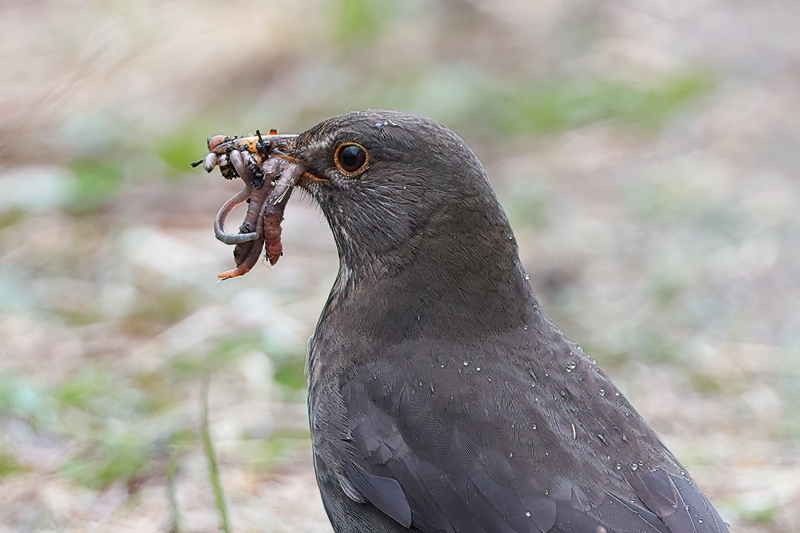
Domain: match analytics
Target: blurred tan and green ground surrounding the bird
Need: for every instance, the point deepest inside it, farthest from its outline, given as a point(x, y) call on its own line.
point(647, 153)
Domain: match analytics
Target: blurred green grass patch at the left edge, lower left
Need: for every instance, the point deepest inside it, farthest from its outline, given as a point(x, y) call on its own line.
point(99, 409)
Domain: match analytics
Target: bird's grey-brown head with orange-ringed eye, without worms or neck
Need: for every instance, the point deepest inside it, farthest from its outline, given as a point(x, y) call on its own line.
point(395, 186)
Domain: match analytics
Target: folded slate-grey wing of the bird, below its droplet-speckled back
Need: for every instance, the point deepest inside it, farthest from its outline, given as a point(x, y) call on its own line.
point(429, 462)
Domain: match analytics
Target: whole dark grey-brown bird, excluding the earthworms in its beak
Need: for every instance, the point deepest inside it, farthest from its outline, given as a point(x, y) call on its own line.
point(441, 397)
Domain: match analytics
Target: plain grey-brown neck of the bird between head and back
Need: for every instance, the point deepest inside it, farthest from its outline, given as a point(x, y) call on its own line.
point(459, 277)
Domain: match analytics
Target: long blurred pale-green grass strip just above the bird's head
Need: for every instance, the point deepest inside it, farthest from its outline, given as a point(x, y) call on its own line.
point(501, 104)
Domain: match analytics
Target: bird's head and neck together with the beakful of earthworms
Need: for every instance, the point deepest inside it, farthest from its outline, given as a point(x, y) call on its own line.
point(419, 230)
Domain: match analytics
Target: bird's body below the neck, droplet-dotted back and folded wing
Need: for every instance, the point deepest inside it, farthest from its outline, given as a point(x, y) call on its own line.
point(520, 432)
